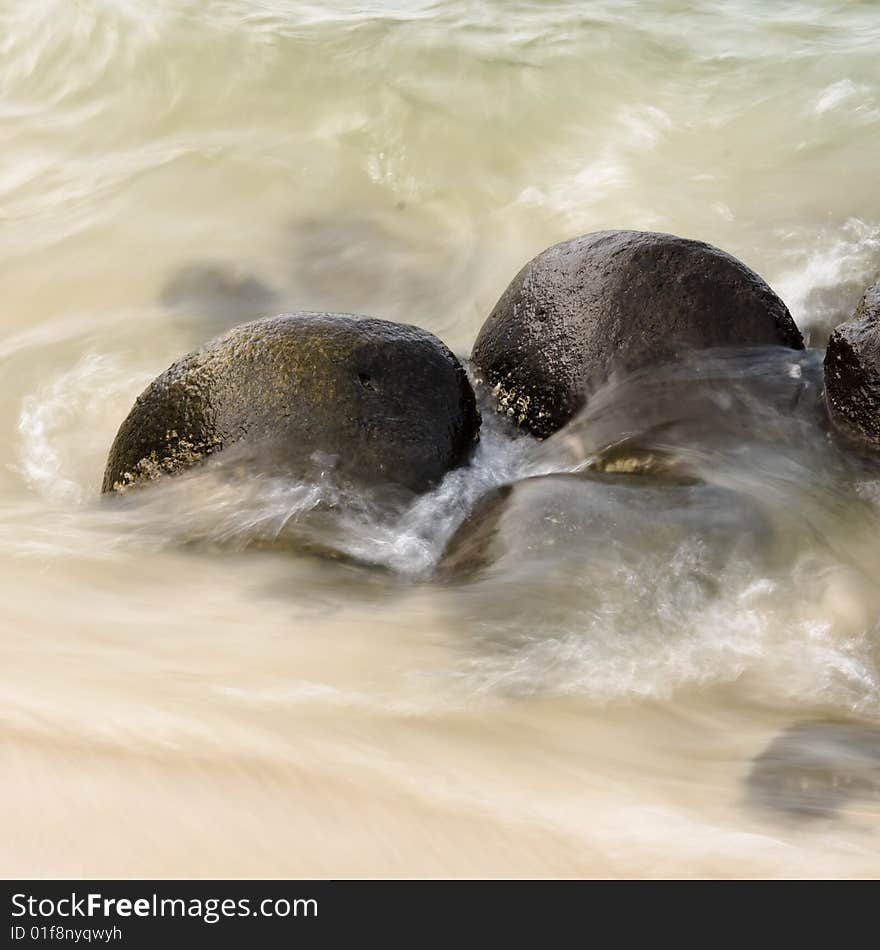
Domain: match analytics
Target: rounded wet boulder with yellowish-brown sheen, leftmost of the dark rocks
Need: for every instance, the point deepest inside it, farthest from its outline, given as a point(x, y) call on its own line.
point(378, 402)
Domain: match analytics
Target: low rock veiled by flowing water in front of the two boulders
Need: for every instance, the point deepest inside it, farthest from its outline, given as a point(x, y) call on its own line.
point(600, 524)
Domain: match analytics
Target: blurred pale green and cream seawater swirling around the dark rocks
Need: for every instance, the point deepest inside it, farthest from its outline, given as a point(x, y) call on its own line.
point(182, 697)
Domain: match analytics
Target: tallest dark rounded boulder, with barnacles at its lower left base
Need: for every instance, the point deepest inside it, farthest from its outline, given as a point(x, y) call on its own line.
point(616, 300)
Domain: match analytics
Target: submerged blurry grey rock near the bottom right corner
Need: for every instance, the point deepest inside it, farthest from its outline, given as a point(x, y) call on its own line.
point(813, 769)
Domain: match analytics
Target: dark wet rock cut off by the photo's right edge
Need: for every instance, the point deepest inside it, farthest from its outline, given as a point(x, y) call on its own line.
point(852, 372)
